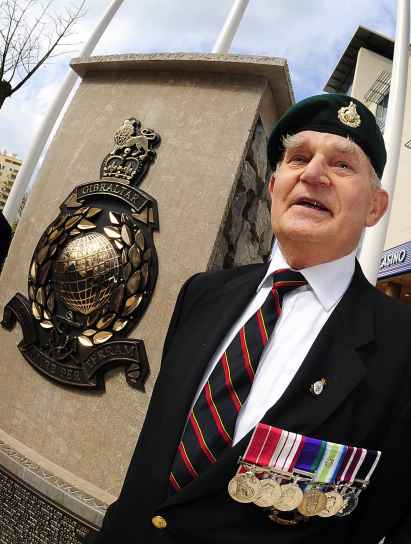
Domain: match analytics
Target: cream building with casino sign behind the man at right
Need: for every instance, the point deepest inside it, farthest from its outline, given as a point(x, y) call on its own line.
point(364, 72)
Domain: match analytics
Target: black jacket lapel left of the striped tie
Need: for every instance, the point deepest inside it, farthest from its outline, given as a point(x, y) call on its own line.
point(189, 355)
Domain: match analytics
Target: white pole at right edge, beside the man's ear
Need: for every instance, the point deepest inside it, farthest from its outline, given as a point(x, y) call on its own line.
point(374, 239)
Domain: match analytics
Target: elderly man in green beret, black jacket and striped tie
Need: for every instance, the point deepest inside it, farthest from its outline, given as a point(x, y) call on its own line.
point(306, 345)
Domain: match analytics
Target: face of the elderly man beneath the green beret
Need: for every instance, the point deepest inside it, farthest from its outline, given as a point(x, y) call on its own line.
point(322, 196)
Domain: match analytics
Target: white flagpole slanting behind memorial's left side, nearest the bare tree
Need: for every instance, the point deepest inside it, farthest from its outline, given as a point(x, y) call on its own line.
point(26, 171)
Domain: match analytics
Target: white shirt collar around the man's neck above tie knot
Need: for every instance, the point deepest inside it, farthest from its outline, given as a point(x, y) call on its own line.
point(329, 281)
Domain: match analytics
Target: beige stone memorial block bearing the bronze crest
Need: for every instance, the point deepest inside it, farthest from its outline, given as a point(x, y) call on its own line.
point(99, 264)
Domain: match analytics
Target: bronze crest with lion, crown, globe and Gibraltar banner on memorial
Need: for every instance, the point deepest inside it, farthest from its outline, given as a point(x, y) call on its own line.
point(93, 273)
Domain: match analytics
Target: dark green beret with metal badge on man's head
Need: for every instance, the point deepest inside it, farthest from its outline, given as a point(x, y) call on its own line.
point(335, 114)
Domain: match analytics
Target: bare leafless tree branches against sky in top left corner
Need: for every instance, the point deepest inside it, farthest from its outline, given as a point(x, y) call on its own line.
point(30, 33)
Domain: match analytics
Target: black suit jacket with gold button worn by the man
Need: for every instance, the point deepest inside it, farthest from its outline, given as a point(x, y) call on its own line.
point(363, 351)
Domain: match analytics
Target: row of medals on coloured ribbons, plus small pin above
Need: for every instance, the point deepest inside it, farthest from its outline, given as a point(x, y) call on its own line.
point(332, 475)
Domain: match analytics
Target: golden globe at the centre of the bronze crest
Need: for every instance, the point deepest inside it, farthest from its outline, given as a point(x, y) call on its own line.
point(85, 272)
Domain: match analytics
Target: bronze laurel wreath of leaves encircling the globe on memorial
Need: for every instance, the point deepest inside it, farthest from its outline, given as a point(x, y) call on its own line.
point(135, 255)
